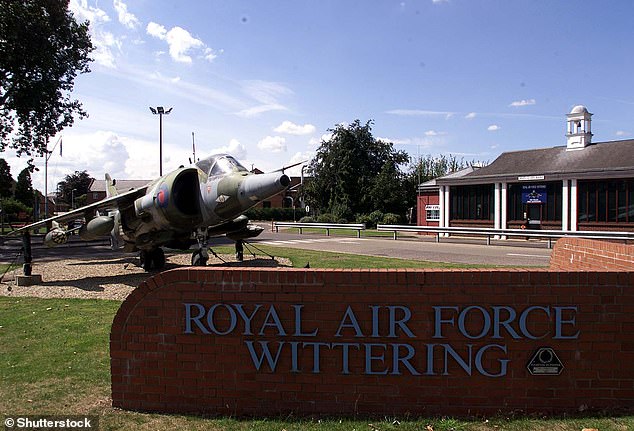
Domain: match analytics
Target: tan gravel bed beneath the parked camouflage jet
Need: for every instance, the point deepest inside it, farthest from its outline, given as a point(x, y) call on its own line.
point(111, 278)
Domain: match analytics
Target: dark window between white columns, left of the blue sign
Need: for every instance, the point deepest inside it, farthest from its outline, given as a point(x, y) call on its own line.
point(472, 202)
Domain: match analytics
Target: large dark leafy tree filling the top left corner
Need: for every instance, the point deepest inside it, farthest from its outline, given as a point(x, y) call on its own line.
point(42, 49)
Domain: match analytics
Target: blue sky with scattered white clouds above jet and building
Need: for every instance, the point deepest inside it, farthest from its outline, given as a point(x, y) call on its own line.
point(266, 80)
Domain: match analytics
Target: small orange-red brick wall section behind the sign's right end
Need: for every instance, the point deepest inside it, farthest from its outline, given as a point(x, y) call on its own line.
point(578, 254)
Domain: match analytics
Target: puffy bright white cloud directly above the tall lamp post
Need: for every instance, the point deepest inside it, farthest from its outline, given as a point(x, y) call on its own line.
point(180, 42)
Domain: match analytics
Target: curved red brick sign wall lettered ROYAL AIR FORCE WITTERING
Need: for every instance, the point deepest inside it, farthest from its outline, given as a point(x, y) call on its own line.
point(473, 368)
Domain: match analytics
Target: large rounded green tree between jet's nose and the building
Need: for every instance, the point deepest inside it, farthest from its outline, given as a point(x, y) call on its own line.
point(351, 172)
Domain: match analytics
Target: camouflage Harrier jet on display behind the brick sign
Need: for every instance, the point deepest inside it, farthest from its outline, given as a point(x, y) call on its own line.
point(186, 207)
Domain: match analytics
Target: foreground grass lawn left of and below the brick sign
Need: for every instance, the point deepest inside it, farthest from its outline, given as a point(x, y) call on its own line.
point(54, 360)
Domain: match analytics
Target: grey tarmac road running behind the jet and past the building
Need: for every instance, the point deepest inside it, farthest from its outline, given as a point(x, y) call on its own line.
point(453, 250)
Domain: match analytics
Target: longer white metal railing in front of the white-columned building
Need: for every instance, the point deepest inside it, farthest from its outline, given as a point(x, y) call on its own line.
point(490, 233)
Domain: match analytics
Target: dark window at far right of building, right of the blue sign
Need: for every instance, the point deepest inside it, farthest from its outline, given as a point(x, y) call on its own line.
point(606, 201)
